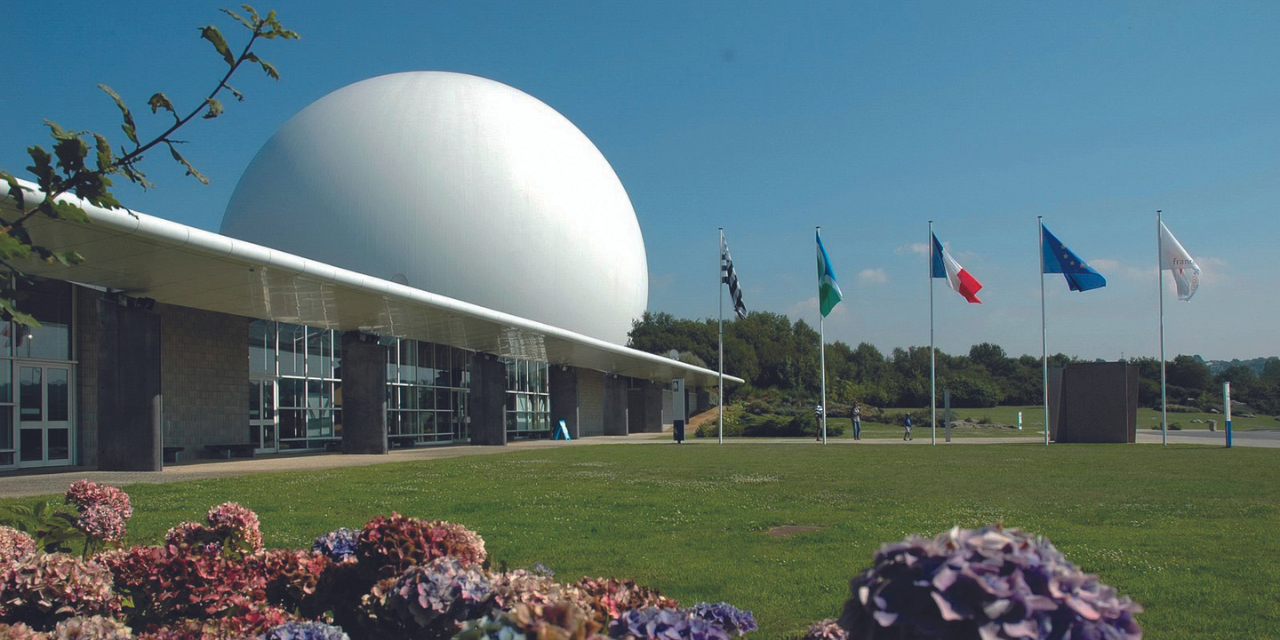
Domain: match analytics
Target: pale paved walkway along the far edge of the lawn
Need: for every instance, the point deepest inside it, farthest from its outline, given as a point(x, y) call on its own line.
point(56, 483)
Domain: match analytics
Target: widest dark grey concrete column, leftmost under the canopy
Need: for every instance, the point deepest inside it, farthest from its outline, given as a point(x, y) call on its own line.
point(129, 390)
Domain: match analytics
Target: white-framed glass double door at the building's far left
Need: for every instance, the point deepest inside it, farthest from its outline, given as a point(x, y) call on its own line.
point(44, 415)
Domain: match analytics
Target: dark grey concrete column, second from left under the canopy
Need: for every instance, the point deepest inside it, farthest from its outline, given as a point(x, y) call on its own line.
point(364, 396)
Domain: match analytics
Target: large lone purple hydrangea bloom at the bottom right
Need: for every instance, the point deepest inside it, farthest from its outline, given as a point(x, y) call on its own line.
point(1005, 584)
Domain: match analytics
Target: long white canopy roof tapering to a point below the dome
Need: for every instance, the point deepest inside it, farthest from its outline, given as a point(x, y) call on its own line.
point(147, 257)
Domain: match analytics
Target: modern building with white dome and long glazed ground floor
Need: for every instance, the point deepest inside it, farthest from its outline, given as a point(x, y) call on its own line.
point(417, 259)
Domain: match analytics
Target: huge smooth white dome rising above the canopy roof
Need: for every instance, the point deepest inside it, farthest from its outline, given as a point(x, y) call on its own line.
point(459, 186)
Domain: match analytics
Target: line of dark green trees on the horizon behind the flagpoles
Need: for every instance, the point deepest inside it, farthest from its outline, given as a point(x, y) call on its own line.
point(774, 354)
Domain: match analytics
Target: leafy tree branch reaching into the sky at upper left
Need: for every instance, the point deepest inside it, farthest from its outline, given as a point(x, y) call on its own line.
point(84, 163)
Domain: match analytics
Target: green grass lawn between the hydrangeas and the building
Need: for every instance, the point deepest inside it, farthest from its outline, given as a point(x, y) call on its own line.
point(1187, 532)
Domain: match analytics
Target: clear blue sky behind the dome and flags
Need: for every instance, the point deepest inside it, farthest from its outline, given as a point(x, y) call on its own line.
point(771, 118)
